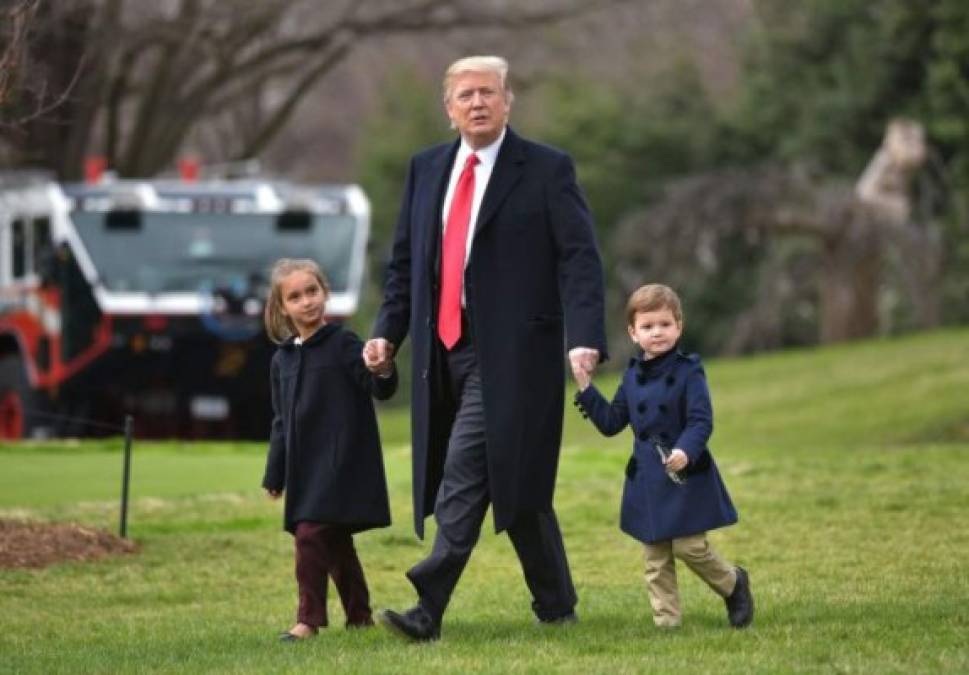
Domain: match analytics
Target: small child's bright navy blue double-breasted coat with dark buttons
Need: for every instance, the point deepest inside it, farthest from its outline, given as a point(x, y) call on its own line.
point(665, 398)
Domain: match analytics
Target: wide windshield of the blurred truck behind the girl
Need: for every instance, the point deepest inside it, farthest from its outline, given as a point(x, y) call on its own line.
point(170, 252)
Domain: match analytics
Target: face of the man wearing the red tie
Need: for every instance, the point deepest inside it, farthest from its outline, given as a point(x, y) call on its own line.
point(478, 107)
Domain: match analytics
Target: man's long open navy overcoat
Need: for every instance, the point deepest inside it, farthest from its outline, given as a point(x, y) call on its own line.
point(534, 287)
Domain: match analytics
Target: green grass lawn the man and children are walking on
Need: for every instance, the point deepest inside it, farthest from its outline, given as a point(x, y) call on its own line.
point(849, 466)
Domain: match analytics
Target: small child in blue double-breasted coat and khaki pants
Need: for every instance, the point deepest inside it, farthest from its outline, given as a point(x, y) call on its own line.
point(673, 492)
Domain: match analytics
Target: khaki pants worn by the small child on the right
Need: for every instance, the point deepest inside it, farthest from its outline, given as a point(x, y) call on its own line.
point(700, 557)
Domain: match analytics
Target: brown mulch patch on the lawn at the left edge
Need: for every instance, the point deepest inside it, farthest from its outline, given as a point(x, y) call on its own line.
point(31, 544)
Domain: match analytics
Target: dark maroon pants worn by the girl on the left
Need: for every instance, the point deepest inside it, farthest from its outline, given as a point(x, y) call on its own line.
point(324, 551)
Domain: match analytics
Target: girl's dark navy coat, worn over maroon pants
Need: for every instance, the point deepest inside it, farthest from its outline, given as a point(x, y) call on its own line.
point(324, 448)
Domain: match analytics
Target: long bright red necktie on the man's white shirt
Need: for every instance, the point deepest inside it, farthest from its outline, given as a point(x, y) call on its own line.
point(452, 256)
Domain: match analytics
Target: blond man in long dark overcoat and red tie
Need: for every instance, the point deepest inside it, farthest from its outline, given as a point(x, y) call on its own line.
point(494, 273)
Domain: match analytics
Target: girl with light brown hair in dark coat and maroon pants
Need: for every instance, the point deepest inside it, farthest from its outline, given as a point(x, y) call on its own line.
point(324, 447)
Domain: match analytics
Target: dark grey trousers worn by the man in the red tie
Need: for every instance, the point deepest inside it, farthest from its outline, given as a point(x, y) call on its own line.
point(462, 501)
